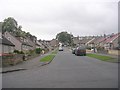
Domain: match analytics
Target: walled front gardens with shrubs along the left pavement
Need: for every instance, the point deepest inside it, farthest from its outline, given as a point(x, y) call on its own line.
point(20, 56)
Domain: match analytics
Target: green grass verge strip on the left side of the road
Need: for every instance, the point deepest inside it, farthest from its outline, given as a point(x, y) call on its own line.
point(49, 57)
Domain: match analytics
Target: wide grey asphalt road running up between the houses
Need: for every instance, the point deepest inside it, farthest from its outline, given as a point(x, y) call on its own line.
point(66, 71)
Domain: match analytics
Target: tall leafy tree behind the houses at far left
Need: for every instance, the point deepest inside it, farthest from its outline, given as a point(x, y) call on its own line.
point(9, 24)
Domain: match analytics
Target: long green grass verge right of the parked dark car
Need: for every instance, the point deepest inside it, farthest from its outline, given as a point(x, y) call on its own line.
point(103, 58)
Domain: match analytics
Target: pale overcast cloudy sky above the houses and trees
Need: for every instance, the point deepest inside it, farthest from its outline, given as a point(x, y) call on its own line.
point(46, 18)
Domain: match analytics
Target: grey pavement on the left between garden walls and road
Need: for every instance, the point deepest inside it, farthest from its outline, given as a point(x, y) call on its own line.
point(29, 64)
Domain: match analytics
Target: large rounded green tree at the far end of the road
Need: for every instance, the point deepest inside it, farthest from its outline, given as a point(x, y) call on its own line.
point(65, 37)
